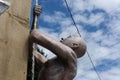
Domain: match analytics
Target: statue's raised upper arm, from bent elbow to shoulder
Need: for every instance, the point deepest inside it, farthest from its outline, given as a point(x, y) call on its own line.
point(59, 49)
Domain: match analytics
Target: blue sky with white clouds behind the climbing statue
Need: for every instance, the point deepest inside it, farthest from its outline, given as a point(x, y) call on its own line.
point(99, 25)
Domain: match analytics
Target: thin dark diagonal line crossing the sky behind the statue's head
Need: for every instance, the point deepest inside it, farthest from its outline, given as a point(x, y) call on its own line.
point(80, 36)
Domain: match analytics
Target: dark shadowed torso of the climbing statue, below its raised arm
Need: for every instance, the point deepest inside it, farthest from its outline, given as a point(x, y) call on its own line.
point(55, 69)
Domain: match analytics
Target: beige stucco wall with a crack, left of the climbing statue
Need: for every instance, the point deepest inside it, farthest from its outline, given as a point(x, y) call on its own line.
point(14, 31)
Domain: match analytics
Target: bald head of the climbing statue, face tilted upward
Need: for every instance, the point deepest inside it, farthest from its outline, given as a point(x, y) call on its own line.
point(76, 43)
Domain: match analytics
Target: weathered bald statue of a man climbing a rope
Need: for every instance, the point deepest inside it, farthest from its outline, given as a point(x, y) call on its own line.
point(64, 65)
